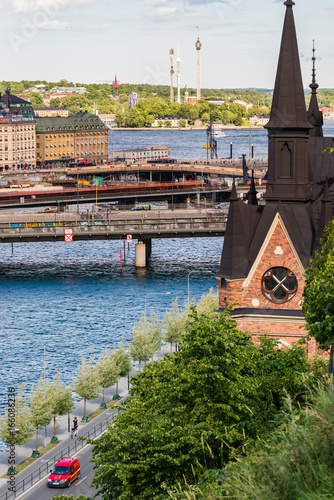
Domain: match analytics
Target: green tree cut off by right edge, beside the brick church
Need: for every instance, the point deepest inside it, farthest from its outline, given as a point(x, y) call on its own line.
point(318, 305)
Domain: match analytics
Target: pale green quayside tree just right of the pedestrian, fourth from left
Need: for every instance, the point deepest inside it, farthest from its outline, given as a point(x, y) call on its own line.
point(87, 383)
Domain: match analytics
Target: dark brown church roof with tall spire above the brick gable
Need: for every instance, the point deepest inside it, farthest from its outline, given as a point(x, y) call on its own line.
point(300, 175)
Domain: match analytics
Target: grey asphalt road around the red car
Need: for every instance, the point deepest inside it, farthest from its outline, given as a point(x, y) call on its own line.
point(41, 492)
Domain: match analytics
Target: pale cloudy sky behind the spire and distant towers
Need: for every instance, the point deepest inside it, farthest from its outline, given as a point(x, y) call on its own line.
point(87, 41)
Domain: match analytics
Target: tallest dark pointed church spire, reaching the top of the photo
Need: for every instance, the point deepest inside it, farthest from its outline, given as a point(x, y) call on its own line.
point(288, 127)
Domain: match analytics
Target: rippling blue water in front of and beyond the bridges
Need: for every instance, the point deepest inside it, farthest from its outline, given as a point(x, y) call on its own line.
point(59, 299)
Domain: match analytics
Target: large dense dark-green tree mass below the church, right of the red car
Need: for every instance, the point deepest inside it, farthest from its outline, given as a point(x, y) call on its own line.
point(197, 410)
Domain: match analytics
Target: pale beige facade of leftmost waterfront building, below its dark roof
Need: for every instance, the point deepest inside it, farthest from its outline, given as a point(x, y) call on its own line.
point(17, 142)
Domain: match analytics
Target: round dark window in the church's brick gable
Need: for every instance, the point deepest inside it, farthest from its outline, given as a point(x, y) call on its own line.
point(279, 285)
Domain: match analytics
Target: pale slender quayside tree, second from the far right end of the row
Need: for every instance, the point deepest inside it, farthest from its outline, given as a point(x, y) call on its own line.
point(175, 323)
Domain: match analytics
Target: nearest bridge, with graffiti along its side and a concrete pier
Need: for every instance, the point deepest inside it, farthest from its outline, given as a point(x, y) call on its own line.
point(142, 226)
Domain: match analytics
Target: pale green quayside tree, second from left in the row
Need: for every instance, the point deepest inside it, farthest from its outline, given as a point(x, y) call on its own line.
point(41, 406)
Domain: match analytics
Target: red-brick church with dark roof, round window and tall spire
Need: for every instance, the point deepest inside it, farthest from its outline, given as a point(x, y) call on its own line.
point(267, 248)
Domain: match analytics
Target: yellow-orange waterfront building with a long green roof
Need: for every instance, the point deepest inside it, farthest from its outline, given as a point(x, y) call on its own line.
point(60, 140)
